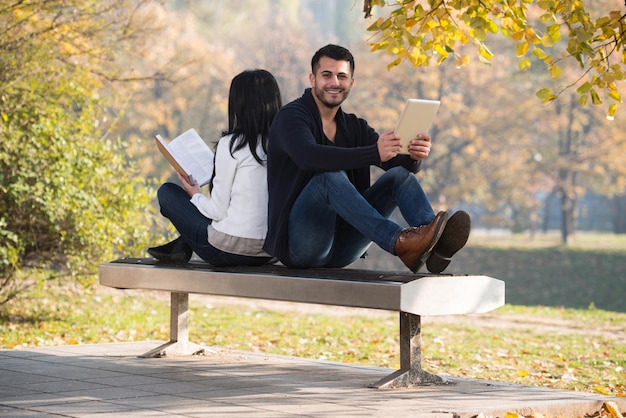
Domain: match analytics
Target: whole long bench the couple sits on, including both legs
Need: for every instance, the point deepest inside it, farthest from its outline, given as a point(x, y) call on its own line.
point(412, 295)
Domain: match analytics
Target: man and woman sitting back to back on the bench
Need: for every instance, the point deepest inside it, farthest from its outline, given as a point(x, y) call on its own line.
point(299, 190)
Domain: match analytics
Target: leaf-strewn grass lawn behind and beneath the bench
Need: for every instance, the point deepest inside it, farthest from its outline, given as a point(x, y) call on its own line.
point(543, 344)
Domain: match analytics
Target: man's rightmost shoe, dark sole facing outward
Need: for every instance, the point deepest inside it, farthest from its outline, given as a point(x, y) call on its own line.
point(453, 238)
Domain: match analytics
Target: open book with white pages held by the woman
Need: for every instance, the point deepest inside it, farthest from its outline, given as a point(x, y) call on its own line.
point(189, 155)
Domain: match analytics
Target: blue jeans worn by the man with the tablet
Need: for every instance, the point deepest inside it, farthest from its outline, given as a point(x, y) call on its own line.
point(331, 224)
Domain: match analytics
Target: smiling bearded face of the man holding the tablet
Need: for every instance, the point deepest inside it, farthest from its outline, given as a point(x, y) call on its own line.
point(332, 82)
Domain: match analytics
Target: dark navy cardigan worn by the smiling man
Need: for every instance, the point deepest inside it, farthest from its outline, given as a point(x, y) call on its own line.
point(298, 149)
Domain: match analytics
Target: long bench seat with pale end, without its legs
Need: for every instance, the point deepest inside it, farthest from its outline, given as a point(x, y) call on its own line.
point(423, 295)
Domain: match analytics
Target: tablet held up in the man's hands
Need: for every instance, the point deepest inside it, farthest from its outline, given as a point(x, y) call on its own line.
point(417, 117)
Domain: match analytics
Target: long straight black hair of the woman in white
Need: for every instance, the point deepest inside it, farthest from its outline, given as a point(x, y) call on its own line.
point(253, 101)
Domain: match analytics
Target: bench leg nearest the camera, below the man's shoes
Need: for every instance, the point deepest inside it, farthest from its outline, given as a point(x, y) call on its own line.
point(410, 373)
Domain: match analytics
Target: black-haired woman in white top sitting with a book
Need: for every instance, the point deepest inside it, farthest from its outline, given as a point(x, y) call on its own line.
point(228, 228)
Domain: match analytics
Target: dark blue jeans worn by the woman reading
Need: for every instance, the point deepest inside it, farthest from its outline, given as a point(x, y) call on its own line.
point(192, 226)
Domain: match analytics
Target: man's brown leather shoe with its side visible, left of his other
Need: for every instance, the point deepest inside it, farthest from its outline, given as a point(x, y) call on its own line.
point(415, 244)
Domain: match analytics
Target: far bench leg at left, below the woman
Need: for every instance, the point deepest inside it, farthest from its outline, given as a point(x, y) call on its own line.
point(179, 344)
